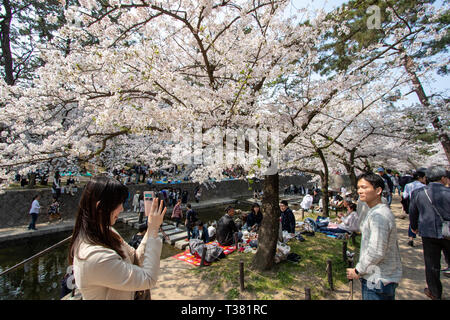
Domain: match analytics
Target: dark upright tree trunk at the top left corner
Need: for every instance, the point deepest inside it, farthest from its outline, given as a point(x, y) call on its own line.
point(6, 43)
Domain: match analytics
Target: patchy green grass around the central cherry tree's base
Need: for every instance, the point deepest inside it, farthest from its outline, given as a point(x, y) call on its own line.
point(287, 280)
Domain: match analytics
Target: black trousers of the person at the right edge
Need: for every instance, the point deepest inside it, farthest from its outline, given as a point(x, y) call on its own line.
point(432, 255)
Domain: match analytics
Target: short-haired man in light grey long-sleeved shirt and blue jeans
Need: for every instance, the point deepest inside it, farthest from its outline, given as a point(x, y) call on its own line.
point(379, 267)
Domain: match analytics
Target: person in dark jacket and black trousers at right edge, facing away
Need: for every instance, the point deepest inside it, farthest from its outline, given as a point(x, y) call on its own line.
point(428, 212)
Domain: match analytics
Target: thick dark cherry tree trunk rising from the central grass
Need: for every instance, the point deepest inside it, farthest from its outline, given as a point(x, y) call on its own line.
point(268, 232)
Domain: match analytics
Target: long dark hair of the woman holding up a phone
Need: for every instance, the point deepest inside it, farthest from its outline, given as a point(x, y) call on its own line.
point(94, 222)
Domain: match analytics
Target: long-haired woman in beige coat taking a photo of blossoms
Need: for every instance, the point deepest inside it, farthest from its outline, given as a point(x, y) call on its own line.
point(105, 266)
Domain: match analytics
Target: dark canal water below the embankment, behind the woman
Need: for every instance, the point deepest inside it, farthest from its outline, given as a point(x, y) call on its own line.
point(41, 278)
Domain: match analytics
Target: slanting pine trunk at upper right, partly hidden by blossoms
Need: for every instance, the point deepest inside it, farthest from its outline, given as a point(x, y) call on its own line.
point(423, 98)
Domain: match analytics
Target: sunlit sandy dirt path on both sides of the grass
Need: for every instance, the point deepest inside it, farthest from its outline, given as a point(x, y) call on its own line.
point(175, 283)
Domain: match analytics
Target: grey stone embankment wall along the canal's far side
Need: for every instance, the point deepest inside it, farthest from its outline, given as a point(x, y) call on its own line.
point(15, 204)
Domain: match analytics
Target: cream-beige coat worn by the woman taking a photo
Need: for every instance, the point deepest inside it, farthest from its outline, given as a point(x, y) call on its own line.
point(101, 274)
